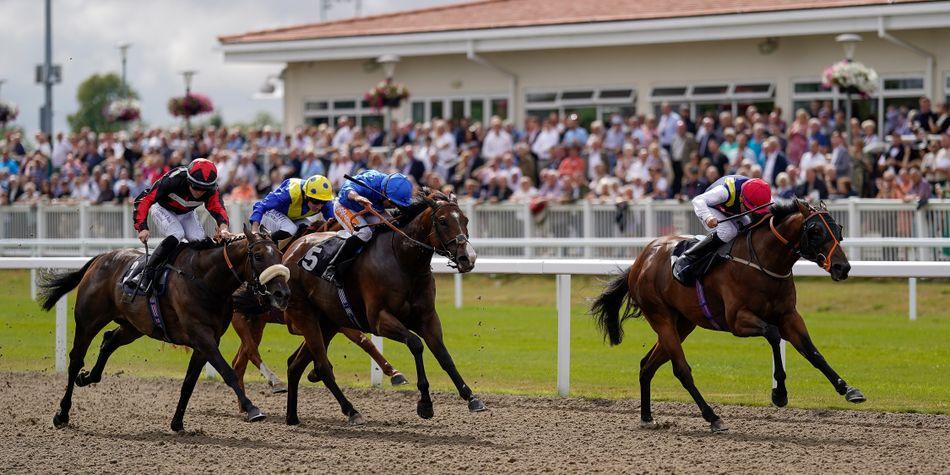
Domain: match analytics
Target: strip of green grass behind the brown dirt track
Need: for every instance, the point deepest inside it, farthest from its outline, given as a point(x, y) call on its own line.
point(504, 340)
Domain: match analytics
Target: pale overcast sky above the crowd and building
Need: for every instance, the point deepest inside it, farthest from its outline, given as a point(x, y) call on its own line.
point(168, 36)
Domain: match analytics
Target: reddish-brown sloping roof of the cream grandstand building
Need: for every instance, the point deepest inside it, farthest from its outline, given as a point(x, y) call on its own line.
point(496, 14)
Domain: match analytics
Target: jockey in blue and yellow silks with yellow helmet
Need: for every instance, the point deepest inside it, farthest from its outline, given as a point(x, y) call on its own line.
point(292, 205)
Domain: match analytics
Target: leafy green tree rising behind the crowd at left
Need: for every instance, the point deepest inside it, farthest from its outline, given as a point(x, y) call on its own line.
point(93, 95)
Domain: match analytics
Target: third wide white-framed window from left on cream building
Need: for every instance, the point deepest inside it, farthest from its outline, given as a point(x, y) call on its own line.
point(588, 104)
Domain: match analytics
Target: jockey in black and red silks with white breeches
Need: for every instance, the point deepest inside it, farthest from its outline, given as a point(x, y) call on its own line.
point(171, 203)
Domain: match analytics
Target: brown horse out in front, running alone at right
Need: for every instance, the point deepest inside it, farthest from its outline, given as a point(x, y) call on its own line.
point(754, 295)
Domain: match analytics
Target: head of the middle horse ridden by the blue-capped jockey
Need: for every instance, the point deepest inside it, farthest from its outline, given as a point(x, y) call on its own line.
point(449, 235)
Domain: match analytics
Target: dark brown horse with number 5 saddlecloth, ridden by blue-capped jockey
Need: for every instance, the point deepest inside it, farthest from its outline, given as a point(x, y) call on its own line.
point(392, 292)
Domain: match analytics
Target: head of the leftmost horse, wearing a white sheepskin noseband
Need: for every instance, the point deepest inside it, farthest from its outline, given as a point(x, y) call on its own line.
point(269, 277)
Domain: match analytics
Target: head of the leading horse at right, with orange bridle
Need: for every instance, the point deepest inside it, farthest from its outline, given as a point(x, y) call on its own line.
point(820, 240)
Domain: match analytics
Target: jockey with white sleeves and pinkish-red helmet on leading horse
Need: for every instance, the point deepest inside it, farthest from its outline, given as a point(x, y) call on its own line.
point(728, 196)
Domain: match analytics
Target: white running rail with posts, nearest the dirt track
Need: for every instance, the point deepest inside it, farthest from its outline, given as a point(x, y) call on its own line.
point(561, 268)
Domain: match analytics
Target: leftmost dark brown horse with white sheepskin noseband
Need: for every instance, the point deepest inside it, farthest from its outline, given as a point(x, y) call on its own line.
point(196, 308)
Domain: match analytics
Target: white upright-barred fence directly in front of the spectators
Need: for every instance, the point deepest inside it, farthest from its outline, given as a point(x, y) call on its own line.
point(554, 226)
